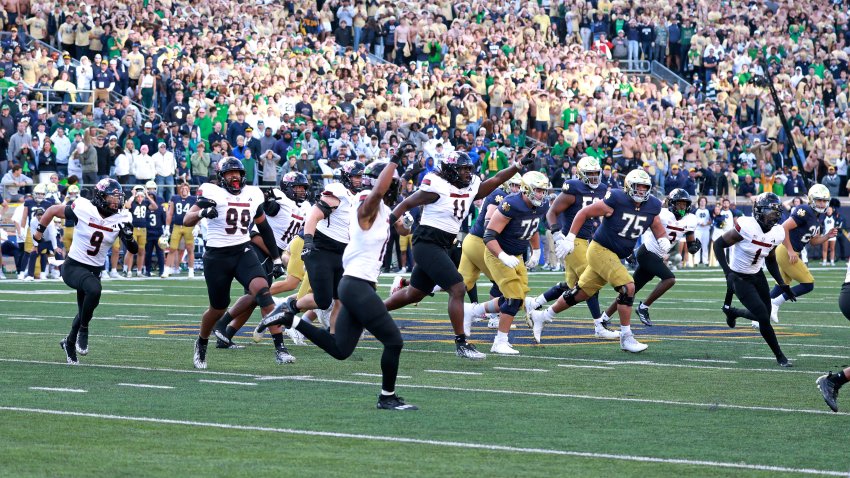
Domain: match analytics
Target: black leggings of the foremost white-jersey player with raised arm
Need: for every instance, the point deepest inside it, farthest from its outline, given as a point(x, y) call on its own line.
point(362, 308)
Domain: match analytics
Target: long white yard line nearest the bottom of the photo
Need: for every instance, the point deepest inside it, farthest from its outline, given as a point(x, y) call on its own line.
point(441, 443)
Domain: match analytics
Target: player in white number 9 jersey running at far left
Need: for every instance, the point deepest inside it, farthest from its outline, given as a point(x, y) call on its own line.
point(97, 224)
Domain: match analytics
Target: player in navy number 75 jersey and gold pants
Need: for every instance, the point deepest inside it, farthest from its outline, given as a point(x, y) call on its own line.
point(628, 213)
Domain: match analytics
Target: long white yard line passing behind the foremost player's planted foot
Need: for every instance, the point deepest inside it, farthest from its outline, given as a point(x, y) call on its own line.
point(308, 378)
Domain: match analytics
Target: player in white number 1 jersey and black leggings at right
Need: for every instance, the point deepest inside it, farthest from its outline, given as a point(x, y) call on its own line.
point(756, 238)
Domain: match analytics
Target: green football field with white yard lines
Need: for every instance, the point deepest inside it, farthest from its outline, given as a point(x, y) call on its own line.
point(703, 400)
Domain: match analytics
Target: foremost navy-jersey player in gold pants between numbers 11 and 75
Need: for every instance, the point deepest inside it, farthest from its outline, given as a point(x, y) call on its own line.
point(509, 232)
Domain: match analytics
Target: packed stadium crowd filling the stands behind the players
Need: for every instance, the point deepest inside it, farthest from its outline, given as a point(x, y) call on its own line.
point(303, 86)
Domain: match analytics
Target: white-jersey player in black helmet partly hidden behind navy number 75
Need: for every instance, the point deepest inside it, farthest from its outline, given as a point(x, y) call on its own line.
point(678, 222)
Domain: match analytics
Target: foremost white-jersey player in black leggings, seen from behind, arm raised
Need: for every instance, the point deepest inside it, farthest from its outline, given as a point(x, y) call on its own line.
point(361, 307)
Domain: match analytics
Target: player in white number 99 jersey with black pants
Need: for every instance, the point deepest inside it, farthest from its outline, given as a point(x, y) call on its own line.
point(229, 209)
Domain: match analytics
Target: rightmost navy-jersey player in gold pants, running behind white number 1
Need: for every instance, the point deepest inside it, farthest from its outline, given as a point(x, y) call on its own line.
point(802, 227)
